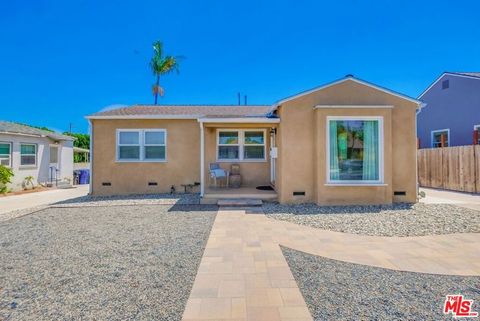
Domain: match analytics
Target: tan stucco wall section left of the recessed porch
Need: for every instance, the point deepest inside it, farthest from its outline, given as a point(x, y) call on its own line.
point(182, 165)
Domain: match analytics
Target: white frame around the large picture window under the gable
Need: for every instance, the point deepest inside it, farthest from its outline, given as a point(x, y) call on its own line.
point(380, 180)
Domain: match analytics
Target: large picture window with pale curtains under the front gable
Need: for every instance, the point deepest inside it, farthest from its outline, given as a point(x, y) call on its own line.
point(355, 150)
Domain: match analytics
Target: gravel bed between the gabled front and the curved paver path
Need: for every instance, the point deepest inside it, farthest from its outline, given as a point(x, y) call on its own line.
point(381, 220)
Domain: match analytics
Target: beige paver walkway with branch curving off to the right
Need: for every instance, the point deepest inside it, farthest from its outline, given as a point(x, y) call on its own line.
point(244, 276)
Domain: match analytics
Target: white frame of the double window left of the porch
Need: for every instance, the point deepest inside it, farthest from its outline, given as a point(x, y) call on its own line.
point(141, 144)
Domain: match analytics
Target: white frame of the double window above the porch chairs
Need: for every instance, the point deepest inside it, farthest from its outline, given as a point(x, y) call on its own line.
point(241, 145)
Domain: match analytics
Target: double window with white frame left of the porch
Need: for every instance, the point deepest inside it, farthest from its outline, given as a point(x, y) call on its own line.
point(147, 145)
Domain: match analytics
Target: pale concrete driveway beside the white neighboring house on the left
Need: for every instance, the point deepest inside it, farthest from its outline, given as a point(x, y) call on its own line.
point(21, 202)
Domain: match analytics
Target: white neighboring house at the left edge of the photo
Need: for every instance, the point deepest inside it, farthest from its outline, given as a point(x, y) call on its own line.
point(29, 151)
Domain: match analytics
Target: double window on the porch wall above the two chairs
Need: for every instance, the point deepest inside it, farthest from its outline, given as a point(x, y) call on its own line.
point(238, 145)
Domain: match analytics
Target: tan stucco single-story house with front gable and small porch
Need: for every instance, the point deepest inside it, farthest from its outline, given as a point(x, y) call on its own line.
point(346, 142)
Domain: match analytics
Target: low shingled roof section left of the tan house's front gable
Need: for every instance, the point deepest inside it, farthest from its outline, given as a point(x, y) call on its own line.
point(183, 111)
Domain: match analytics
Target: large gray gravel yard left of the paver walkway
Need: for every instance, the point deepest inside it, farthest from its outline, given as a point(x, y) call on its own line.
point(102, 263)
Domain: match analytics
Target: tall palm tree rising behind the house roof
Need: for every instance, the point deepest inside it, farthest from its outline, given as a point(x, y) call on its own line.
point(161, 65)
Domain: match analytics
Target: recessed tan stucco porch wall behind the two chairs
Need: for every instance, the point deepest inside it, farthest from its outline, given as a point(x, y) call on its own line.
point(254, 173)
